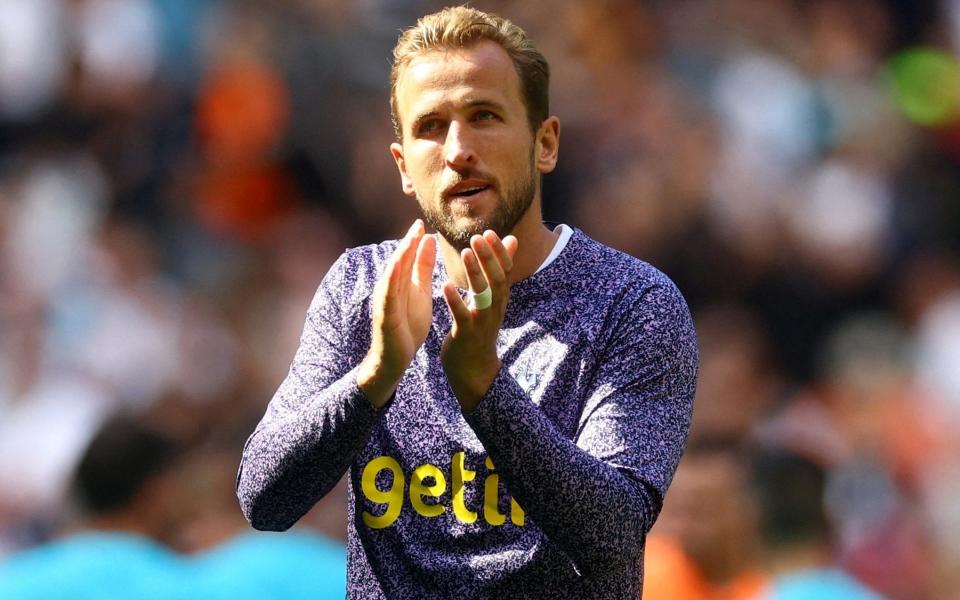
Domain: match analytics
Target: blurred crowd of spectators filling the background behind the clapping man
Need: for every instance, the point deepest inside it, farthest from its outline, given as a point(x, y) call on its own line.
point(177, 175)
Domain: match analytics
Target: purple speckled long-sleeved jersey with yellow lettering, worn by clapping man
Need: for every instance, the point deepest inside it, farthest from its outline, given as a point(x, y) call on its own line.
point(546, 490)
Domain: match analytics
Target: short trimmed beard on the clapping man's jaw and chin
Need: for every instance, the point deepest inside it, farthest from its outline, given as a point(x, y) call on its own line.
point(514, 203)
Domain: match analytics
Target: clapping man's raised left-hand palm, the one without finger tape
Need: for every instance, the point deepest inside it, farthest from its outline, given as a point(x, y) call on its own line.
point(402, 312)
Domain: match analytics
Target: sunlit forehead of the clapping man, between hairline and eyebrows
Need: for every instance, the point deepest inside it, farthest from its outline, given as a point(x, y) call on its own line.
point(437, 78)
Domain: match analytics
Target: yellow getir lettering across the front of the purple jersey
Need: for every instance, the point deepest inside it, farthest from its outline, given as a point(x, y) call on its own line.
point(428, 481)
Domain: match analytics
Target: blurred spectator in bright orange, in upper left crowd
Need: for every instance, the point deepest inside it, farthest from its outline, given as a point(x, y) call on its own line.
point(243, 110)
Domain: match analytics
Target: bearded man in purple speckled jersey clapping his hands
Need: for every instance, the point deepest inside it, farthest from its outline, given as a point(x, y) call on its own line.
point(520, 442)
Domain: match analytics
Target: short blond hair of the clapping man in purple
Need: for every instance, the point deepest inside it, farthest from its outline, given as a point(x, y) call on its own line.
point(458, 27)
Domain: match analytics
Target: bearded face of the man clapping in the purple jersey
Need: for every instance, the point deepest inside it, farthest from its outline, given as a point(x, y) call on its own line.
point(468, 154)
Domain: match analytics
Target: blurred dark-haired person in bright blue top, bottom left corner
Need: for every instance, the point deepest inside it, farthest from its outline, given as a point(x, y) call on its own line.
point(122, 485)
